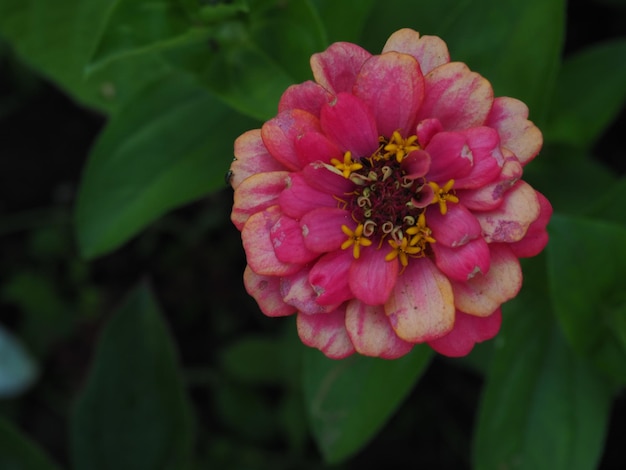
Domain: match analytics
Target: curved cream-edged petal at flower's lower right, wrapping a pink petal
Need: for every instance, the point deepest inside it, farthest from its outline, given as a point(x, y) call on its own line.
point(484, 293)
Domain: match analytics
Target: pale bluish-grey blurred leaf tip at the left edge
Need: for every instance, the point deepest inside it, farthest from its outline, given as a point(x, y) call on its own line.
point(17, 369)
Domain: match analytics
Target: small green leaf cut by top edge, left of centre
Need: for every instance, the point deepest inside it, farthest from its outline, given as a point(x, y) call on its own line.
point(137, 26)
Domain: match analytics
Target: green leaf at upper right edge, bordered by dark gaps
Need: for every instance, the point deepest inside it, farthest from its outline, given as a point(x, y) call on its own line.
point(590, 92)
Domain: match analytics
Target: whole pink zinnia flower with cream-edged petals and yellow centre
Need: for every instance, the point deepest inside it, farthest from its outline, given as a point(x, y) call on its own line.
point(384, 203)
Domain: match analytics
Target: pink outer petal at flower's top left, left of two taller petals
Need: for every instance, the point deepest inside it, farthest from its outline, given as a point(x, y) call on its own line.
point(337, 67)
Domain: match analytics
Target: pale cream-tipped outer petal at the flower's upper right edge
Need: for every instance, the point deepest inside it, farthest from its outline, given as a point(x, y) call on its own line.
point(510, 118)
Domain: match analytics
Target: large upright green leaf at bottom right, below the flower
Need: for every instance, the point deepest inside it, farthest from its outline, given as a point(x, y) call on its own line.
point(543, 407)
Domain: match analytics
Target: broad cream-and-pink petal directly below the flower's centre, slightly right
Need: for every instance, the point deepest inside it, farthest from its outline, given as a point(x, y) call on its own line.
point(421, 306)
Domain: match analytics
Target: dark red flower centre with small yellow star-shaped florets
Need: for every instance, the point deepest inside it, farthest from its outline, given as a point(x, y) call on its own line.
point(390, 199)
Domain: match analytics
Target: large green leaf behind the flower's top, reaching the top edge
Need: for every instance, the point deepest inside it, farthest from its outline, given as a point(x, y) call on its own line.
point(515, 45)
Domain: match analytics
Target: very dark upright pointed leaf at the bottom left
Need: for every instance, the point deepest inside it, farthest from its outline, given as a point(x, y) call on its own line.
point(133, 413)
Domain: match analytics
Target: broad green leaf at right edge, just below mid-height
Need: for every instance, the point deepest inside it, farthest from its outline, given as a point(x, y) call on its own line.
point(587, 266)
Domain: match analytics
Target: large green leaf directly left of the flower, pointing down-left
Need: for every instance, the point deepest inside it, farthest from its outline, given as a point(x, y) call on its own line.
point(171, 144)
